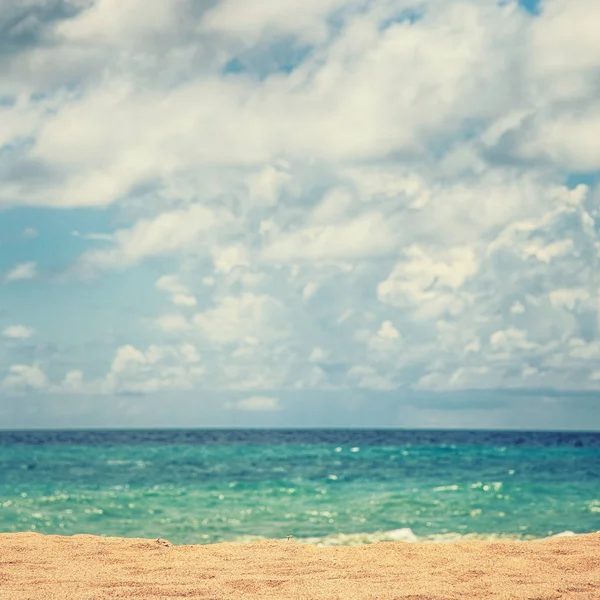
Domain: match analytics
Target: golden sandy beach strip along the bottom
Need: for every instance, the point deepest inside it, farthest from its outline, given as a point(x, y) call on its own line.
point(88, 567)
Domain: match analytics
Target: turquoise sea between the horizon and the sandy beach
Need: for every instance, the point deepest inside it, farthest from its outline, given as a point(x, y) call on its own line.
point(327, 487)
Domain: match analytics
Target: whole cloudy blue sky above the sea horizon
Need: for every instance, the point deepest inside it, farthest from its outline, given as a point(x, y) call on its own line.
point(336, 213)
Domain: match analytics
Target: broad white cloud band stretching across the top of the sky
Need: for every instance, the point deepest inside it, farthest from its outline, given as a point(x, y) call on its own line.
point(372, 81)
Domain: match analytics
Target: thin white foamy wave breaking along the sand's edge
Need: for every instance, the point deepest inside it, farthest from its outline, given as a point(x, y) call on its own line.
point(404, 535)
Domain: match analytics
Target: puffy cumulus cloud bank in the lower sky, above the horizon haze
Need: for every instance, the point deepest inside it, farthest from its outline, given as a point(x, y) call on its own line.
point(497, 312)
